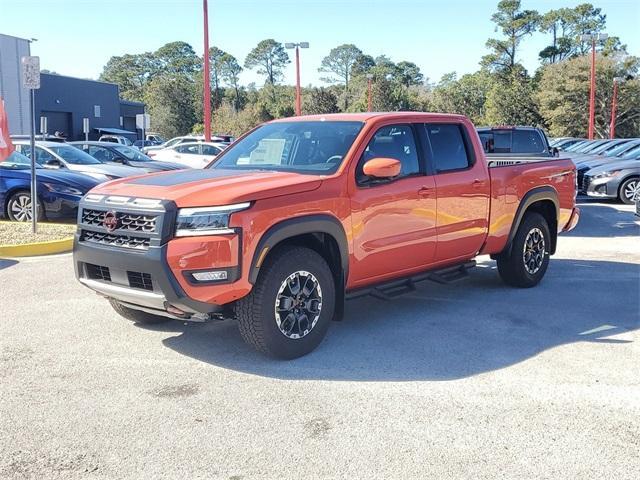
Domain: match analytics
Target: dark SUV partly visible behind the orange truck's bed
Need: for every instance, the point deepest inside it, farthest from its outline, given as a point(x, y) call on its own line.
point(515, 141)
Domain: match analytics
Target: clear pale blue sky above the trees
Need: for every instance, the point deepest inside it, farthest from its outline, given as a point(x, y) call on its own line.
point(77, 38)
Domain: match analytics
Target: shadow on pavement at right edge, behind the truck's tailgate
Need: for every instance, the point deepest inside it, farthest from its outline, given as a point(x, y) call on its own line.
point(602, 220)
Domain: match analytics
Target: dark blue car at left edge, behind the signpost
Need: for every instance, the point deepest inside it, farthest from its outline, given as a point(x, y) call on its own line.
point(59, 192)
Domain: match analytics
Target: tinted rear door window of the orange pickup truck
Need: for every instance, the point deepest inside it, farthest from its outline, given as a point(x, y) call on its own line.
point(448, 148)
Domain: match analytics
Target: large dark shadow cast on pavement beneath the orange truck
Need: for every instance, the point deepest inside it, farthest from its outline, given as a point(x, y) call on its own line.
point(444, 332)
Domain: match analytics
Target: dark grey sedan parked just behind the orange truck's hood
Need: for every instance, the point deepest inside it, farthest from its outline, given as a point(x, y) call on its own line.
point(107, 152)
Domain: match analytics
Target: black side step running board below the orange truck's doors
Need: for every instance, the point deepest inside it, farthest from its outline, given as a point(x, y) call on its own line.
point(395, 288)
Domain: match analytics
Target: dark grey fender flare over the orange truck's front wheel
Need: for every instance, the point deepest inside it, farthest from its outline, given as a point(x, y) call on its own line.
point(298, 226)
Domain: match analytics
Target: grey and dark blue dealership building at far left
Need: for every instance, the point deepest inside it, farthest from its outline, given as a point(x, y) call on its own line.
point(64, 101)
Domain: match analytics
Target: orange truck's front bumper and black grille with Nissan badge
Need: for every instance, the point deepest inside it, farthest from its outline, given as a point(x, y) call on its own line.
point(125, 249)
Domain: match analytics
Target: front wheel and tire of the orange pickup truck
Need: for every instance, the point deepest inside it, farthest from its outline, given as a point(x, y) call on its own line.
point(268, 318)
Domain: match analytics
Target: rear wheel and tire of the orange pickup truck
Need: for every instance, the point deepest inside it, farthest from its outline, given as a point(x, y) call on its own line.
point(528, 259)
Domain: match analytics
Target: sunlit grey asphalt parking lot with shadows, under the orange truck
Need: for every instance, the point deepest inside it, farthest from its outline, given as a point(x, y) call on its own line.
point(474, 380)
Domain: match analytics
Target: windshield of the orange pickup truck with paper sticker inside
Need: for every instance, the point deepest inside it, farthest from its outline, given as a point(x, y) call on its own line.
point(315, 147)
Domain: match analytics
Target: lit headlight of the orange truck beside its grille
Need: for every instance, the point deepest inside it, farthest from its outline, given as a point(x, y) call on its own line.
point(206, 220)
